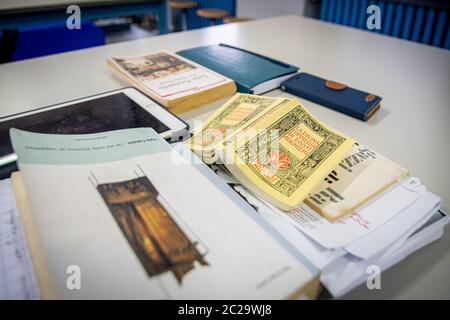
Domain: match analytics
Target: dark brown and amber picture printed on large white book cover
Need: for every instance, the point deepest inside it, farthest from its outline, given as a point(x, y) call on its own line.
point(156, 238)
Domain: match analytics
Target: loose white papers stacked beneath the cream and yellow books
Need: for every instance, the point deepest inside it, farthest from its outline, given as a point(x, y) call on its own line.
point(373, 237)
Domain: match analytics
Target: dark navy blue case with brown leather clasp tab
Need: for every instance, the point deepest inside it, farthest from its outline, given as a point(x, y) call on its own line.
point(353, 102)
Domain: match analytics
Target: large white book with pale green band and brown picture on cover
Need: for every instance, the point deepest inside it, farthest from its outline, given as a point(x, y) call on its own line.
point(142, 220)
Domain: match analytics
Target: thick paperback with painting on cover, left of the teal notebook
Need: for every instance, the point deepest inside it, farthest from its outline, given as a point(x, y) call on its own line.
point(173, 81)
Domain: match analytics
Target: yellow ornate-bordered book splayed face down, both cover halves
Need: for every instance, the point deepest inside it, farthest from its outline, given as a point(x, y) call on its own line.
point(271, 145)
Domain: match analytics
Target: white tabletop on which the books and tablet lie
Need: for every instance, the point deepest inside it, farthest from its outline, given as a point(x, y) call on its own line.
point(412, 127)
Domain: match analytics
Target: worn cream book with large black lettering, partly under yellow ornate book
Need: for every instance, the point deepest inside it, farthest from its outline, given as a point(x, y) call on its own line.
point(362, 175)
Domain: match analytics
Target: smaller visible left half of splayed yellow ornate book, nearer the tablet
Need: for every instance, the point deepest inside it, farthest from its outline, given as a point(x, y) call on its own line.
point(229, 119)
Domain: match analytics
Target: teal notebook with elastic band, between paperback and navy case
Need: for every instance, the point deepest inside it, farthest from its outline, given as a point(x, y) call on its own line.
point(253, 73)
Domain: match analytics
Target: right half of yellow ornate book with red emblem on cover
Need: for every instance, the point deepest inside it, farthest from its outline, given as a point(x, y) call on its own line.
point(284, 154)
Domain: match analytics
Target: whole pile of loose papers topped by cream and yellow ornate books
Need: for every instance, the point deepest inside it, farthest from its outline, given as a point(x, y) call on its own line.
point(354, 212)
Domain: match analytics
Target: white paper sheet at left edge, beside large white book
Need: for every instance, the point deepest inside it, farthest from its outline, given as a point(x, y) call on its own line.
point(17, 280)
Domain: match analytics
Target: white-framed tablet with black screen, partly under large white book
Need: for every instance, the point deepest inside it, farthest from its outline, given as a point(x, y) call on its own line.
point(114, 110)
